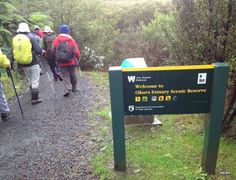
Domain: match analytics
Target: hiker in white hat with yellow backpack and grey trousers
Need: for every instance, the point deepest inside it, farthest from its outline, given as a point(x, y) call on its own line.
point(25, 50)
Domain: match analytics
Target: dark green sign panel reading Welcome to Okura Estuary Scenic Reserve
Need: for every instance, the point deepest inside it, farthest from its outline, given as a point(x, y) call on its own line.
point(167, 91)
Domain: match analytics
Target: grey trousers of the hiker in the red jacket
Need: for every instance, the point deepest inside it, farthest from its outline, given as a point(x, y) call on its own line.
point(69, 78)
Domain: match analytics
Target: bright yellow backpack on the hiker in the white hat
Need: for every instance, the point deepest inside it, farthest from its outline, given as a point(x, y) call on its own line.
point(22, 49)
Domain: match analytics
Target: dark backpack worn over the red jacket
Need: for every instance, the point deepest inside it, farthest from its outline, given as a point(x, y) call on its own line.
point(63, 52)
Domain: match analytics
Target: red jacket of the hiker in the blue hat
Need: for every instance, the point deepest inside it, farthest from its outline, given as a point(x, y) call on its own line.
point(72, 45)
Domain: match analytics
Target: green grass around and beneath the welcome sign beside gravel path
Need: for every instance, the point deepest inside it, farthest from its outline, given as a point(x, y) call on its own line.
point(171, 151)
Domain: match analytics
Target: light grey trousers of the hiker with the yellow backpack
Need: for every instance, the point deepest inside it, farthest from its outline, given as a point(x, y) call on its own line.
point(33, 75)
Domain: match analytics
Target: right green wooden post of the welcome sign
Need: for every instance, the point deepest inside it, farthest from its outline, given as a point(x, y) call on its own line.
point(215, 118)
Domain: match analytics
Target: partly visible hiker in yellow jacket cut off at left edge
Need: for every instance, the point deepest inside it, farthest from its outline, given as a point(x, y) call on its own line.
point(4, 108)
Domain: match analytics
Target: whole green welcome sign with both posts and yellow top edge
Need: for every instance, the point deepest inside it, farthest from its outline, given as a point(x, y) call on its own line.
point(169, 90)
